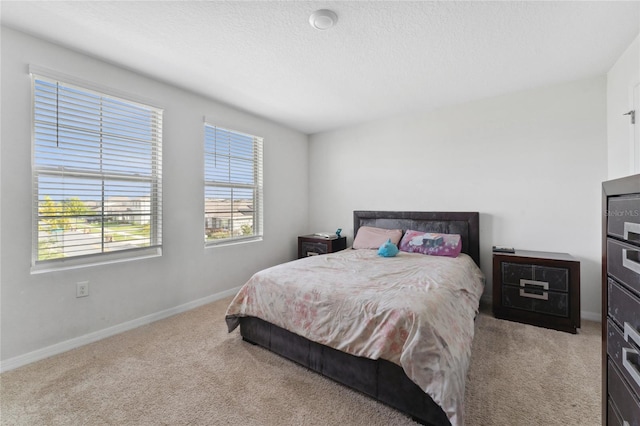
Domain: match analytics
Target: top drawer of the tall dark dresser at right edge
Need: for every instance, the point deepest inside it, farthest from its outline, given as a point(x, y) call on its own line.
point(624, 218)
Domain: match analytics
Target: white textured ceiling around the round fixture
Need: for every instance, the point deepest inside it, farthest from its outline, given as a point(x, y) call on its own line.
point(381, 59)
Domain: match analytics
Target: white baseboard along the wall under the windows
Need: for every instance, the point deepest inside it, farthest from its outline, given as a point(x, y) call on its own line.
point(76, 342)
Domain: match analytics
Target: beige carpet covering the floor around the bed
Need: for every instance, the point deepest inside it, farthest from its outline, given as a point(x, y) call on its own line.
point(187, 370)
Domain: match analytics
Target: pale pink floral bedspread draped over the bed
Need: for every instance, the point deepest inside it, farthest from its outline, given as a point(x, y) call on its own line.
point(414, 310)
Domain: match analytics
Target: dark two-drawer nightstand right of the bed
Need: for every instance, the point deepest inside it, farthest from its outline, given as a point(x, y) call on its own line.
point(538, 288)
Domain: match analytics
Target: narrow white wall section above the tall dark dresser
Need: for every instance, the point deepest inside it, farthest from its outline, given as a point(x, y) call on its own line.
point(621, 79)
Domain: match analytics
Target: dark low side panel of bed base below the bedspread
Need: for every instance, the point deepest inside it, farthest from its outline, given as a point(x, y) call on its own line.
point(379, 379)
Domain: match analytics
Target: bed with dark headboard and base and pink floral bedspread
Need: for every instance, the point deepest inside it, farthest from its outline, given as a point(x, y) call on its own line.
point(392, 365)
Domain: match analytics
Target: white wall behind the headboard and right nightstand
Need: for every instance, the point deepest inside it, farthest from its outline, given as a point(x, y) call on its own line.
point(531, 163)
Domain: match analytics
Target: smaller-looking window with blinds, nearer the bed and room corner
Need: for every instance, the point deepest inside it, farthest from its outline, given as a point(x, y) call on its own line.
point(233, 185)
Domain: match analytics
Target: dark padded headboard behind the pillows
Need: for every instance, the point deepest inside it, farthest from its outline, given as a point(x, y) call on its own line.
point(466, 224)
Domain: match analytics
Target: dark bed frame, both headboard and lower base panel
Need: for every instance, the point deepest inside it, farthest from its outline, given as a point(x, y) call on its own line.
point(380, 379)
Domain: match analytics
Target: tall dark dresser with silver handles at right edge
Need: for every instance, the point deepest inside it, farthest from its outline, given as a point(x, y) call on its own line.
point(621, 302)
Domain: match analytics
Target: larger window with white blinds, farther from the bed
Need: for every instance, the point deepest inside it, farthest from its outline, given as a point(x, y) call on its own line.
point(97, 185)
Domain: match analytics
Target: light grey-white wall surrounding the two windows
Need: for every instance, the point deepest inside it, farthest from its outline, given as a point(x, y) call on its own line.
point(41, 310)
